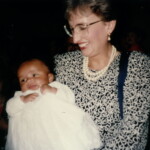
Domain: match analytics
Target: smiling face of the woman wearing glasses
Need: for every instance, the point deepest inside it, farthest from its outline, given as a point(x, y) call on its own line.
point(92, 40)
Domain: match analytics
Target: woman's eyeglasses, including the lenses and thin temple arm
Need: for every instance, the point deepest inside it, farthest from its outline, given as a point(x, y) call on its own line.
point(80, 28)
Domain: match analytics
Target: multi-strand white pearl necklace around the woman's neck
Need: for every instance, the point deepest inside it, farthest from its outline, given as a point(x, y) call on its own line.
point(94, 76)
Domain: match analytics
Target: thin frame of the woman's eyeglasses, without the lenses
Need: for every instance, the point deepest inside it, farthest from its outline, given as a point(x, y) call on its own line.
point(86, 27)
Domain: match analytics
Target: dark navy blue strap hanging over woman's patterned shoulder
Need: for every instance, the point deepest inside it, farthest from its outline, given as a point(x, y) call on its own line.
point(121, 79)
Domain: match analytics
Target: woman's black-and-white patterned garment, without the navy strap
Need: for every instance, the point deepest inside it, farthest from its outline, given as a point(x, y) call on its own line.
point(100, 99)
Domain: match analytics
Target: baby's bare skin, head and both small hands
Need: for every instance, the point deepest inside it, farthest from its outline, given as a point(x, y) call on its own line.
point(33, 75)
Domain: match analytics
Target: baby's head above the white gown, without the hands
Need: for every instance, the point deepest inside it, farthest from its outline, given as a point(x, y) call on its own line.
point(32, 75)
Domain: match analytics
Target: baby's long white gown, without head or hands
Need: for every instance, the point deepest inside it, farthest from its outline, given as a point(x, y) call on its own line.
point(51, 122)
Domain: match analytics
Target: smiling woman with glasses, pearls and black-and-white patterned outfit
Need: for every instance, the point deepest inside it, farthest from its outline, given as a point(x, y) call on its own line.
point(115, 94)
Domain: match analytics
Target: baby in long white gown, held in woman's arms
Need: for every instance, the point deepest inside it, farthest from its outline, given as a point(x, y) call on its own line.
point(43, 115)
